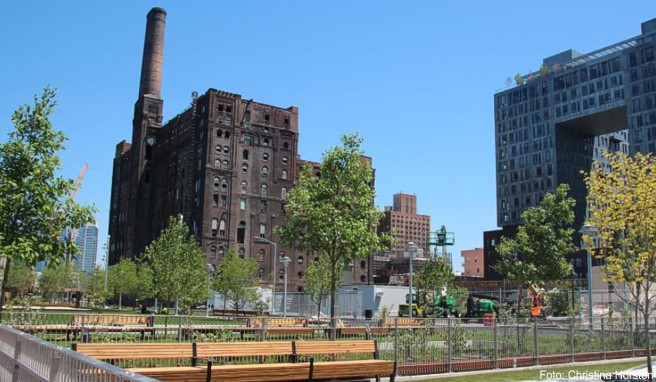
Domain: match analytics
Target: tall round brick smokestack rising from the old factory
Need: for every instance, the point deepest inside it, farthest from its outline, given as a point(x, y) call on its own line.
point(151, 66)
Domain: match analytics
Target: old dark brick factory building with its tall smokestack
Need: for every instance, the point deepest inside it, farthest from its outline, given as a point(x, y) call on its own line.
point(225, 164)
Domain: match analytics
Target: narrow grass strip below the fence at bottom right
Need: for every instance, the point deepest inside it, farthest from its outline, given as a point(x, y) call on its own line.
point(534, 374)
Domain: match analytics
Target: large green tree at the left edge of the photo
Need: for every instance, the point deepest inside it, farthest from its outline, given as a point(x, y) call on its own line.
point(35, 206)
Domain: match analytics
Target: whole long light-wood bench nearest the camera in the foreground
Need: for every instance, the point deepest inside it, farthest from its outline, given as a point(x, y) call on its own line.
point(293, 361)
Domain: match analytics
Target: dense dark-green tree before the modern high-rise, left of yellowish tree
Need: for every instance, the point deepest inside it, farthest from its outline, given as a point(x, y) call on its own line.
point(537, 253)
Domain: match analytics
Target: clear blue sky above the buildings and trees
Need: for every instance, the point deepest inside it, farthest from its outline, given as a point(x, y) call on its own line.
point(414, 78)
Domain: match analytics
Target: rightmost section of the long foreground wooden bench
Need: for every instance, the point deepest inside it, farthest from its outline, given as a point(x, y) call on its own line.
point(347, 369)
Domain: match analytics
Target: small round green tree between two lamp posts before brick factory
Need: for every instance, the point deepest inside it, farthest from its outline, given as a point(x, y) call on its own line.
point(237, 280)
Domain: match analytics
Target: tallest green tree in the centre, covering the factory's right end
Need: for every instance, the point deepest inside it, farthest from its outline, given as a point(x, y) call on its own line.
point(333, 215)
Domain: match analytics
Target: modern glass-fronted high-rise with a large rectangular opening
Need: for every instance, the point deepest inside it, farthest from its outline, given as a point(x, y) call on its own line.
point(560, 119)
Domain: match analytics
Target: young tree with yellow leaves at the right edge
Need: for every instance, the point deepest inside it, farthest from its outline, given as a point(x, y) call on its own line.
point(621, 203)
